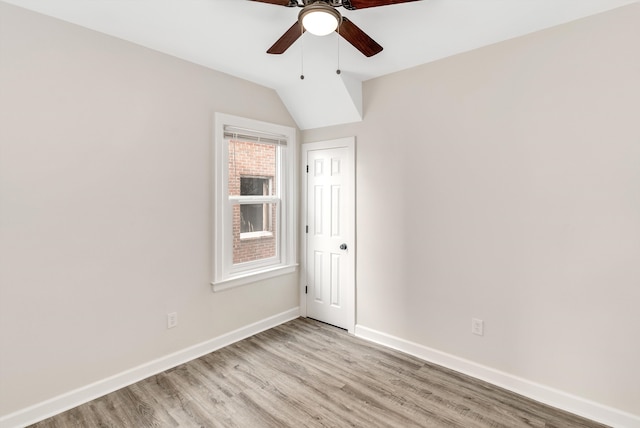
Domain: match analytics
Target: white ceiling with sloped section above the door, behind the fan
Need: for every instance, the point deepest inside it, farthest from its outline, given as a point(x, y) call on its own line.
point(232, 36)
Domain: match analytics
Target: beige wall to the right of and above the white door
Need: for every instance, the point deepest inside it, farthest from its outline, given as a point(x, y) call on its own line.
point(504, 184)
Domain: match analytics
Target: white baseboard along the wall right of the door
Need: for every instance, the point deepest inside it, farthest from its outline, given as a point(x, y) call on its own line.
point(544, 394)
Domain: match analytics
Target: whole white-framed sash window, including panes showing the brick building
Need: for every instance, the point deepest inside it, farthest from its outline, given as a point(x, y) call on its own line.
point(254, 216)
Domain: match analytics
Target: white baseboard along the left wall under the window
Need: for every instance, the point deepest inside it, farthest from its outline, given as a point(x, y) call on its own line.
point(90, 392)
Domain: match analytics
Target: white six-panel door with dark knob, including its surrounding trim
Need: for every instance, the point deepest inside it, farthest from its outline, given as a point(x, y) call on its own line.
point(330, 232)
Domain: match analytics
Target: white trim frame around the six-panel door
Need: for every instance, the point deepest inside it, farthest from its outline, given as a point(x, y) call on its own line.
point(350, 144)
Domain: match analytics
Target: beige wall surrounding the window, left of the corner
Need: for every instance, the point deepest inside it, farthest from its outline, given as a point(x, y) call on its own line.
point(105, 206)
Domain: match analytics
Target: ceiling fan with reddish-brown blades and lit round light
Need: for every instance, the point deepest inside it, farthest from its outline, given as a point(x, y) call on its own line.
point(320, 17)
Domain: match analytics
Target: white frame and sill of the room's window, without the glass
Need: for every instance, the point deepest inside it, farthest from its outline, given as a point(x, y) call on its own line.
point(225, 273)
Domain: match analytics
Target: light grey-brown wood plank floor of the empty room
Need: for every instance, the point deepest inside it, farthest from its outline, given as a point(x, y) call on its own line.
point(307, 374)
